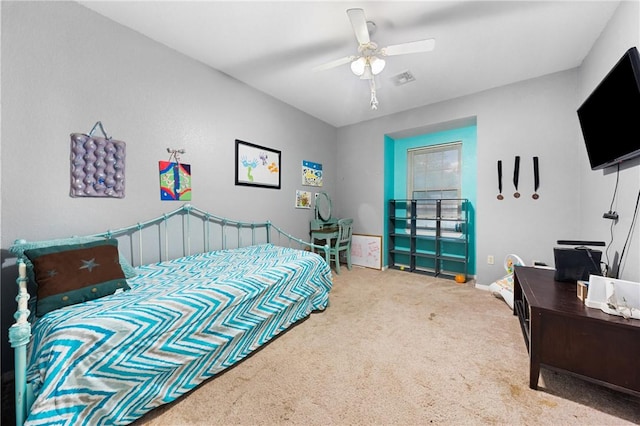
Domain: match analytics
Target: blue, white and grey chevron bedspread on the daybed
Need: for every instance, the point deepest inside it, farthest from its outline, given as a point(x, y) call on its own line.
point(111, 360)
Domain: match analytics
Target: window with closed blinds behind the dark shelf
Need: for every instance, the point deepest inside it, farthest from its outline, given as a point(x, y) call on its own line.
point(435, 172)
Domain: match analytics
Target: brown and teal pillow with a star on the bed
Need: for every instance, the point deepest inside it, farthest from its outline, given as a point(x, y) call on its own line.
point(71, 274)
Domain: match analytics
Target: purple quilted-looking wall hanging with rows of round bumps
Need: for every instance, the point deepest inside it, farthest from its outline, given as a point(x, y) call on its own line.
point(97, 165)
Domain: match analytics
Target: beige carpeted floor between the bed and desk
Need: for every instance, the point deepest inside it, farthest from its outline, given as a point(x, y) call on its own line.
point(396, 348)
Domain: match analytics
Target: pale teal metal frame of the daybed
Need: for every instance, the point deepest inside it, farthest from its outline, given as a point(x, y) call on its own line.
point(217, 234)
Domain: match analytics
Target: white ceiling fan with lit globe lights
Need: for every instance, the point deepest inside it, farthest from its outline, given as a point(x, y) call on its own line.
point(368, 62)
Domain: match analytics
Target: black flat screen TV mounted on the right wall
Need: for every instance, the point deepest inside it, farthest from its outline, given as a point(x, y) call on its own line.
point(610, 116)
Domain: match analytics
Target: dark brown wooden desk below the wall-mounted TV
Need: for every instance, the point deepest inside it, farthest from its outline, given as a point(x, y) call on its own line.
point(561, 333)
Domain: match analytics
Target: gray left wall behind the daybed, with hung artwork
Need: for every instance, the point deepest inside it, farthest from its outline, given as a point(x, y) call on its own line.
point(65, 67)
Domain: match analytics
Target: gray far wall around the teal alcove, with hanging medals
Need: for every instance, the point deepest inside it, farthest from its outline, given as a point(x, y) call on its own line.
point(531, 118)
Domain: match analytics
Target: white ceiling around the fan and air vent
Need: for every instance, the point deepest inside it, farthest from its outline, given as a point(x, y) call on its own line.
point(274, 45)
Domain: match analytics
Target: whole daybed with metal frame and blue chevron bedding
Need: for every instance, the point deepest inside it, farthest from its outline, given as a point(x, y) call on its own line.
point(161, 328)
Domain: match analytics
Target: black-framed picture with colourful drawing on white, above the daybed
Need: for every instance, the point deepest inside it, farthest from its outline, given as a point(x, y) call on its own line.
point(257, 165)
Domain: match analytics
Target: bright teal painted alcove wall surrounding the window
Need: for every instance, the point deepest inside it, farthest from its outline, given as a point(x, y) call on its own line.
point(395, 167)
